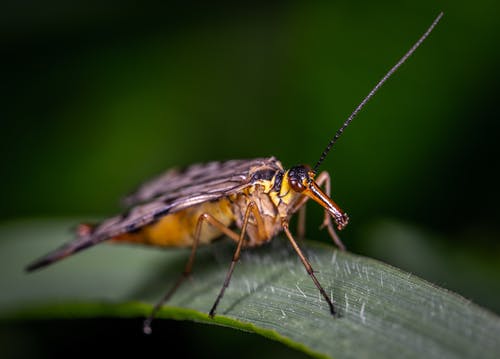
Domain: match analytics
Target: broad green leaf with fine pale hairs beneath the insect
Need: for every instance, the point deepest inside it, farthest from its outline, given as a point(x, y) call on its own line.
point(385, 312)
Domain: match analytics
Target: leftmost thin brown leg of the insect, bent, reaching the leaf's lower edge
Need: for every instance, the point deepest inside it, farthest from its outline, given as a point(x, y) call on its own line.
point(189, 265)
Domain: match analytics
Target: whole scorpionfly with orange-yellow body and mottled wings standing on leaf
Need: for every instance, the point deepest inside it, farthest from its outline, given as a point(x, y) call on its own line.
point(196, 205)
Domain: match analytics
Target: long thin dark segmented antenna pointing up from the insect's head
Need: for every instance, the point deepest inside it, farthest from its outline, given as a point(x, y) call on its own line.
point(374, 90)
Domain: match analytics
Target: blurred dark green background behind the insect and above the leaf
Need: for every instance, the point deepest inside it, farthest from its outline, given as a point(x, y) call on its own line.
point(98, 96)
